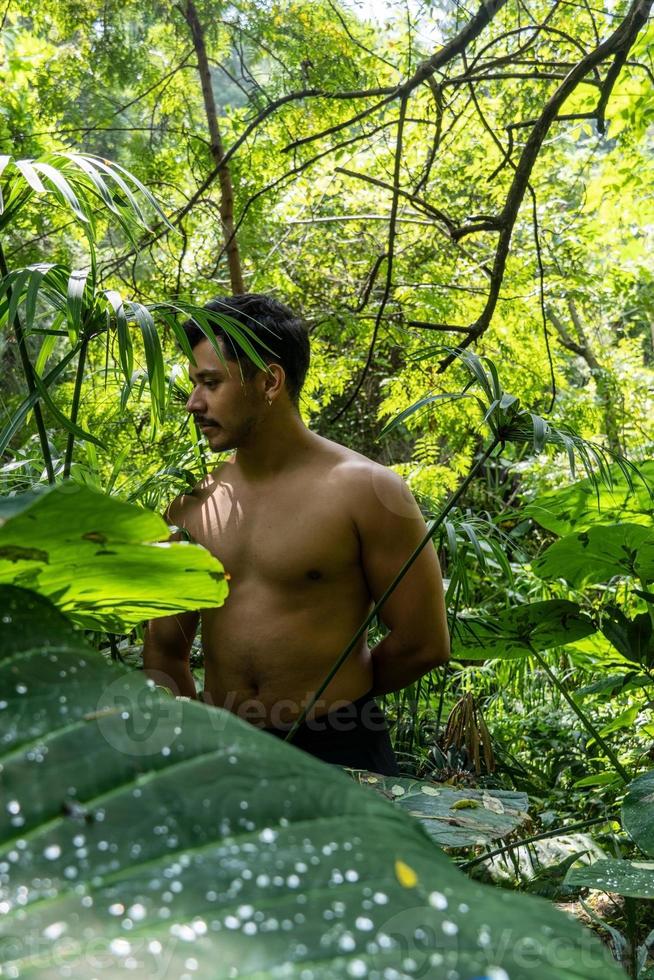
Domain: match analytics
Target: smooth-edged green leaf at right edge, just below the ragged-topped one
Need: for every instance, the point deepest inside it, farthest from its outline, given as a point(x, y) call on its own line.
point(599, 554)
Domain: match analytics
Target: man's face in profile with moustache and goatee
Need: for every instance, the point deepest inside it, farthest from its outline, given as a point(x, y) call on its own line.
point(226, 408)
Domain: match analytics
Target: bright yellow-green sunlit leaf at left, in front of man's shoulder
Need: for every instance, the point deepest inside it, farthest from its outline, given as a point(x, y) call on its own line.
point(102, 561)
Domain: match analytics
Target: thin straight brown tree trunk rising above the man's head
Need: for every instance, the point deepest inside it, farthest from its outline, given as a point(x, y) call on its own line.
point(190, 13)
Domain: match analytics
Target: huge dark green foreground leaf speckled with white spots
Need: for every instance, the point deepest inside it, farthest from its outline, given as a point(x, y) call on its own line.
point(155, 835)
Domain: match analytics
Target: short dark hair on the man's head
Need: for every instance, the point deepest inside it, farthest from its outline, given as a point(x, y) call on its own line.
point(274, 324)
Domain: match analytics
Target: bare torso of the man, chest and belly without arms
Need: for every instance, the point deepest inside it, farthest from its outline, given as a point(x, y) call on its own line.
point(297, 589)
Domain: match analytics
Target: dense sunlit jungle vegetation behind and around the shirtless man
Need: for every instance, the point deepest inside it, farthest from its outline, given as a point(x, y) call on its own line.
point(457, 200)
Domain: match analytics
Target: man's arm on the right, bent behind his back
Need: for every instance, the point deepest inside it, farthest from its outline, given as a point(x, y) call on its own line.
point(390, 527)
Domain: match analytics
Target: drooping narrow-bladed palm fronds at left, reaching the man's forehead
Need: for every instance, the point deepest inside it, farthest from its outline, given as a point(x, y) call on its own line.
point(73, 300)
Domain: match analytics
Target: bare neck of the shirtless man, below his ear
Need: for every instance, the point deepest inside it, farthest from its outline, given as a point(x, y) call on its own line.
point(278, 443)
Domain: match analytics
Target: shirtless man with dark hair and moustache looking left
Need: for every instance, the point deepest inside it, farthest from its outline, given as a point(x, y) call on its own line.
point(311, 534)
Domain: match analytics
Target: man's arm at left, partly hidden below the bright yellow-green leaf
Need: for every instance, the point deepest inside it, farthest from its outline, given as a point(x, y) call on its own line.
point(167, 649)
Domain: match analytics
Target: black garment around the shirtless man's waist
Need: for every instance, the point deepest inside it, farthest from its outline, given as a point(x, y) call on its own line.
point(355, 735)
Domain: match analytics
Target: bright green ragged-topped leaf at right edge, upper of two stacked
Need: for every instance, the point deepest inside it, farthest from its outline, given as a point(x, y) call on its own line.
point(581, 505)
